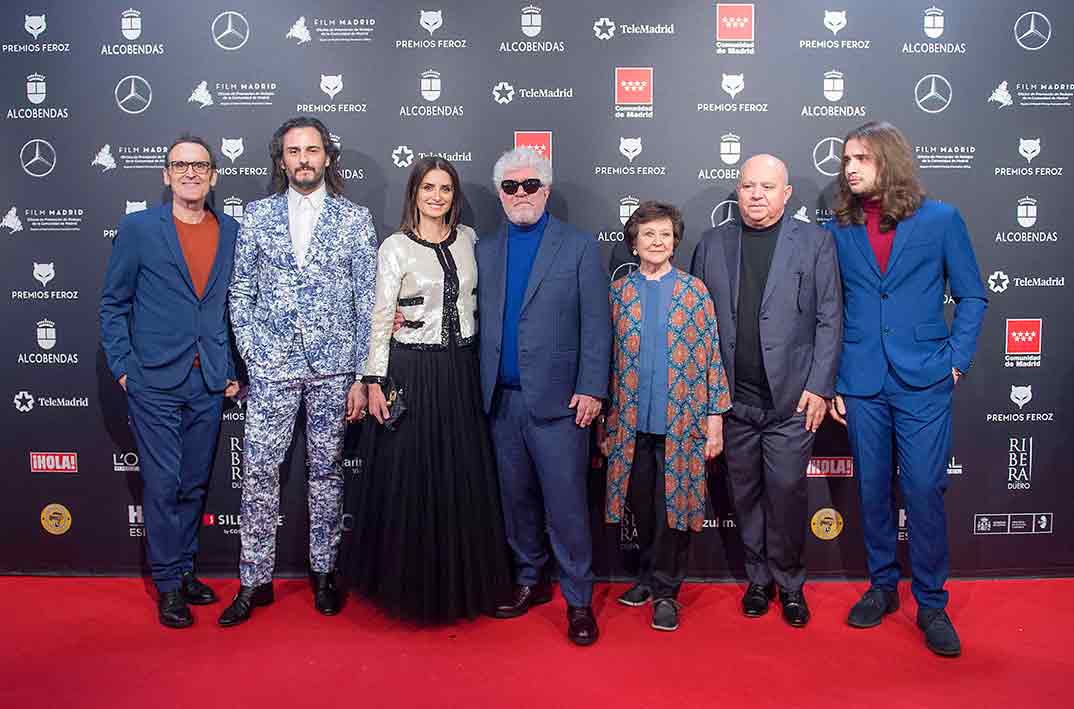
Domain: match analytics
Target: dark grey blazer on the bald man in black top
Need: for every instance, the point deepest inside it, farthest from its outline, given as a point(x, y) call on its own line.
point(802, 312)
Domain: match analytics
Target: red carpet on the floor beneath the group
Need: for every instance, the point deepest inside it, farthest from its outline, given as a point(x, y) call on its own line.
point(96, 643)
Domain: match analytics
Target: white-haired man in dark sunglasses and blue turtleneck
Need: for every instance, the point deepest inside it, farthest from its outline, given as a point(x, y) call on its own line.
point(545, 352)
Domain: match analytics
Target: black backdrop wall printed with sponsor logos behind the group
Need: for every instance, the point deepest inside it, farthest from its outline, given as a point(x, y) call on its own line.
point(632, 102)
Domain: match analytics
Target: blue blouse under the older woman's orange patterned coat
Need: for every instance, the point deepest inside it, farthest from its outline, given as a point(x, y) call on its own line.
point(654, 357)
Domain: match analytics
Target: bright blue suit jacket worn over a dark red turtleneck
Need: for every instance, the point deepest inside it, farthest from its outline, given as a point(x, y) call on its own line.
point(896, 319)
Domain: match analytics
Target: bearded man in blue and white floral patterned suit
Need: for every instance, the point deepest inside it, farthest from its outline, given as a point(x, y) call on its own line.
point(301, 298)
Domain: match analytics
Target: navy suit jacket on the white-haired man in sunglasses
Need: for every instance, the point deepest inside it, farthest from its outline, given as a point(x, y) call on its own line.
point(564, 326)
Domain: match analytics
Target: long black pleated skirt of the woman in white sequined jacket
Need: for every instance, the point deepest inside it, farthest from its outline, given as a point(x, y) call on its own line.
point(429, 543)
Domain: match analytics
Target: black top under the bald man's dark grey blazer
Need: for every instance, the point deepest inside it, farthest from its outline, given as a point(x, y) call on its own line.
point(751, 383)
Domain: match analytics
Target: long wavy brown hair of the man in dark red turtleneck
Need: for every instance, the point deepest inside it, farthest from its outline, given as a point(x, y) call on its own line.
point(898, 189)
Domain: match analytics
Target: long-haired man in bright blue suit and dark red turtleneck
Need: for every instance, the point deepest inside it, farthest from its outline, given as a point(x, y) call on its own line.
point(901, 364)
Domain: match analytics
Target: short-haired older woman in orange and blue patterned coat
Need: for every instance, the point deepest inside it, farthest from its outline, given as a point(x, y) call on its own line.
point(669, 390)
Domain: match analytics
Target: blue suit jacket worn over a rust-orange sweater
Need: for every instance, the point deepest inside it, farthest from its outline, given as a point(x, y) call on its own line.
point(153, 323)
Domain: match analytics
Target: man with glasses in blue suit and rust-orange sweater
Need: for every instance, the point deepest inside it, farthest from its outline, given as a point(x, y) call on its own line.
point(165, 335)
